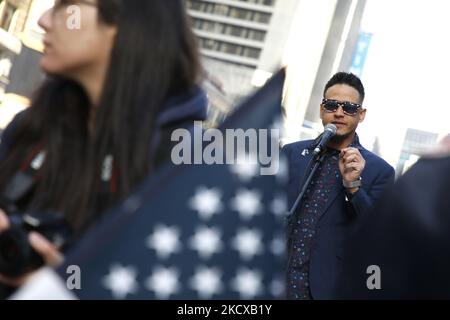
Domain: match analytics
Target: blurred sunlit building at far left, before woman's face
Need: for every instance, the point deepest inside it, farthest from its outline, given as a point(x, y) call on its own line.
point(20, 50)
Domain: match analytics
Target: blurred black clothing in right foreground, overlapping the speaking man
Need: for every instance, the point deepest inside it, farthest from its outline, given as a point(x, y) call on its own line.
point(407, 236)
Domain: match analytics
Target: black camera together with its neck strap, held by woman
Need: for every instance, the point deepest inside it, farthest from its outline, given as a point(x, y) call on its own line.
point(17, 256)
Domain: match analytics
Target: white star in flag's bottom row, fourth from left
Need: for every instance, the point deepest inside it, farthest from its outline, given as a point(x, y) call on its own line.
point(248, 283)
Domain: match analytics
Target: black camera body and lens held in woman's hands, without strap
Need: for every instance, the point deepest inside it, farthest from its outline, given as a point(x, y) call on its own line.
point(17, 256)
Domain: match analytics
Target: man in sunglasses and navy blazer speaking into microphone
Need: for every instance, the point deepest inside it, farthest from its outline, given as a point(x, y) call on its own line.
point(347, 182)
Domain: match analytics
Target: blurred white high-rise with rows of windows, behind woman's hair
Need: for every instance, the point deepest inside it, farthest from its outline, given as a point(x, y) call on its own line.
point(242, 41)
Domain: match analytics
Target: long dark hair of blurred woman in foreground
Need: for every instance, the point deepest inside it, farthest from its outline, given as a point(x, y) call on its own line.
point(155, 56)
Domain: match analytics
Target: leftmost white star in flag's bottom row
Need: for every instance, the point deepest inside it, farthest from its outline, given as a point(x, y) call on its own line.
point(121, 281)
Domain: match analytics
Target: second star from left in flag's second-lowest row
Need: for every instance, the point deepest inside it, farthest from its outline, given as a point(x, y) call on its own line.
point(206, 242)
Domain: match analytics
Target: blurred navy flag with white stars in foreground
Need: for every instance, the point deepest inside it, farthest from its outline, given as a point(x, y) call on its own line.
point(195, 232)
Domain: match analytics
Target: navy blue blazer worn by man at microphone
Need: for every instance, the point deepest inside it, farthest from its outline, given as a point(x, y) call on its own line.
point(339, 216)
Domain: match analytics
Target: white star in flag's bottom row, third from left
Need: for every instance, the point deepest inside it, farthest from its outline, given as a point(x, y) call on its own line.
point(207, 282)
